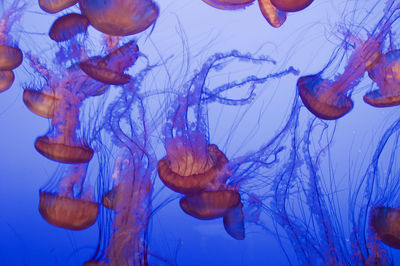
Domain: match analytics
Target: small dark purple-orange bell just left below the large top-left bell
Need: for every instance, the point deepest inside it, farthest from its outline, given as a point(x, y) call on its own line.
point(67, 26)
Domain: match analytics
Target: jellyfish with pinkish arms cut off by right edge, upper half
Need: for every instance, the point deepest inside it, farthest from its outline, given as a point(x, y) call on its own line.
point(386, 74)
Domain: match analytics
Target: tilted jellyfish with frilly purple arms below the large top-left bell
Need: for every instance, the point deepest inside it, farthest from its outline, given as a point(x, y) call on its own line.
point(110, 69)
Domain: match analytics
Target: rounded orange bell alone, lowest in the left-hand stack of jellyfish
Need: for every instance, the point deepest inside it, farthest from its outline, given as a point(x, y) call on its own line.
point(66, 212)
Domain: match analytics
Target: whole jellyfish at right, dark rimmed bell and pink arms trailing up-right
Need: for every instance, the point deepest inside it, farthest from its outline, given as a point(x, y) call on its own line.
point(329, 99)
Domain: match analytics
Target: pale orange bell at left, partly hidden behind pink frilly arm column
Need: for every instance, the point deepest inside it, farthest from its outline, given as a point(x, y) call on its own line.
point(40, 102)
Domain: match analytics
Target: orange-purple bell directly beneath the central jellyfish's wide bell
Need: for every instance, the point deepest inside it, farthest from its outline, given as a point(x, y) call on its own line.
point(208, 205)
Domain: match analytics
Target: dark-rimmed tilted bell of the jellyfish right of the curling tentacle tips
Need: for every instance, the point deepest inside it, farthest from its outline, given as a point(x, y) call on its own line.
point(321, 99)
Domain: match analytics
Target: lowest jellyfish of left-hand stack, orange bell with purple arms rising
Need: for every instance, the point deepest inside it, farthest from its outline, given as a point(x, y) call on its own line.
point(71, 207)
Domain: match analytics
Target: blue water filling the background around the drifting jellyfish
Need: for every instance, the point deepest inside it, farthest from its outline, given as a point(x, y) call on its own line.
point(187, 33)
